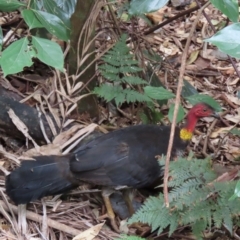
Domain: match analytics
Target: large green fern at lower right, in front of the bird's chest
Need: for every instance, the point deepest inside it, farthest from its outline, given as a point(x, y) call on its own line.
point(195, 200)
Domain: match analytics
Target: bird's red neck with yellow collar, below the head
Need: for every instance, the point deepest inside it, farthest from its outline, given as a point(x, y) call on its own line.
point(186, 132)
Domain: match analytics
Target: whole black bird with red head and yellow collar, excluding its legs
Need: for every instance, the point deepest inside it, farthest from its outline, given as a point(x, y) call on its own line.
point(126, 157)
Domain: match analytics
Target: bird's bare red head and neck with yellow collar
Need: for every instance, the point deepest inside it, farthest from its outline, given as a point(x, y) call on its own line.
point(198, 111)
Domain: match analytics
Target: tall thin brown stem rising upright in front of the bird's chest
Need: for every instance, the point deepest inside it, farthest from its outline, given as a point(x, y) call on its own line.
point(179, 90)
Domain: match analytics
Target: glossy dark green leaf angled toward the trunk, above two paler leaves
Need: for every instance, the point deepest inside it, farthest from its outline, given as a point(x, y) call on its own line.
point(53, 24)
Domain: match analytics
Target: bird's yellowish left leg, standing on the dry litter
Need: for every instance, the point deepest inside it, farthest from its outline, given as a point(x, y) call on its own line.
point(105, 195)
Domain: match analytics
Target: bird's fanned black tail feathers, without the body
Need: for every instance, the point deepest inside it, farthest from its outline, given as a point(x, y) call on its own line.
point(34, 179)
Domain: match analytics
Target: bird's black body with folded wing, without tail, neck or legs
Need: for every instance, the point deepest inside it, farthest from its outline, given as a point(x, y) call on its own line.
point(124, 157)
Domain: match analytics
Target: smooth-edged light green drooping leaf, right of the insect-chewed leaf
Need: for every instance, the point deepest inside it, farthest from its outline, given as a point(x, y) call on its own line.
point(48, 52)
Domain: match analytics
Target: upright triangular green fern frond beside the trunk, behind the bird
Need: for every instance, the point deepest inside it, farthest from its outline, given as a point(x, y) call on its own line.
point(119, 68)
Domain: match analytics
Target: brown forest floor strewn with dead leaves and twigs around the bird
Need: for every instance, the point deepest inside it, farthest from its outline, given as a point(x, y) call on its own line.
point(82, 213)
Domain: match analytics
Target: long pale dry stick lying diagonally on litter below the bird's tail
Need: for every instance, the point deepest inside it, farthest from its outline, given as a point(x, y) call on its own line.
point(37, 218)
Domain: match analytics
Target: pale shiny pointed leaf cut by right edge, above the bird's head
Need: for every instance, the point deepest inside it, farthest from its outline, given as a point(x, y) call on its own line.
point(227, 40)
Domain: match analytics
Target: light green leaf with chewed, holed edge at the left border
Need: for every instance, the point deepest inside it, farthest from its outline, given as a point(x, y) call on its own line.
point(17, 56)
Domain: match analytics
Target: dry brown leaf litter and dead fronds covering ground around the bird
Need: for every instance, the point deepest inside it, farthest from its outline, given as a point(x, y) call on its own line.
point(207, 71)
